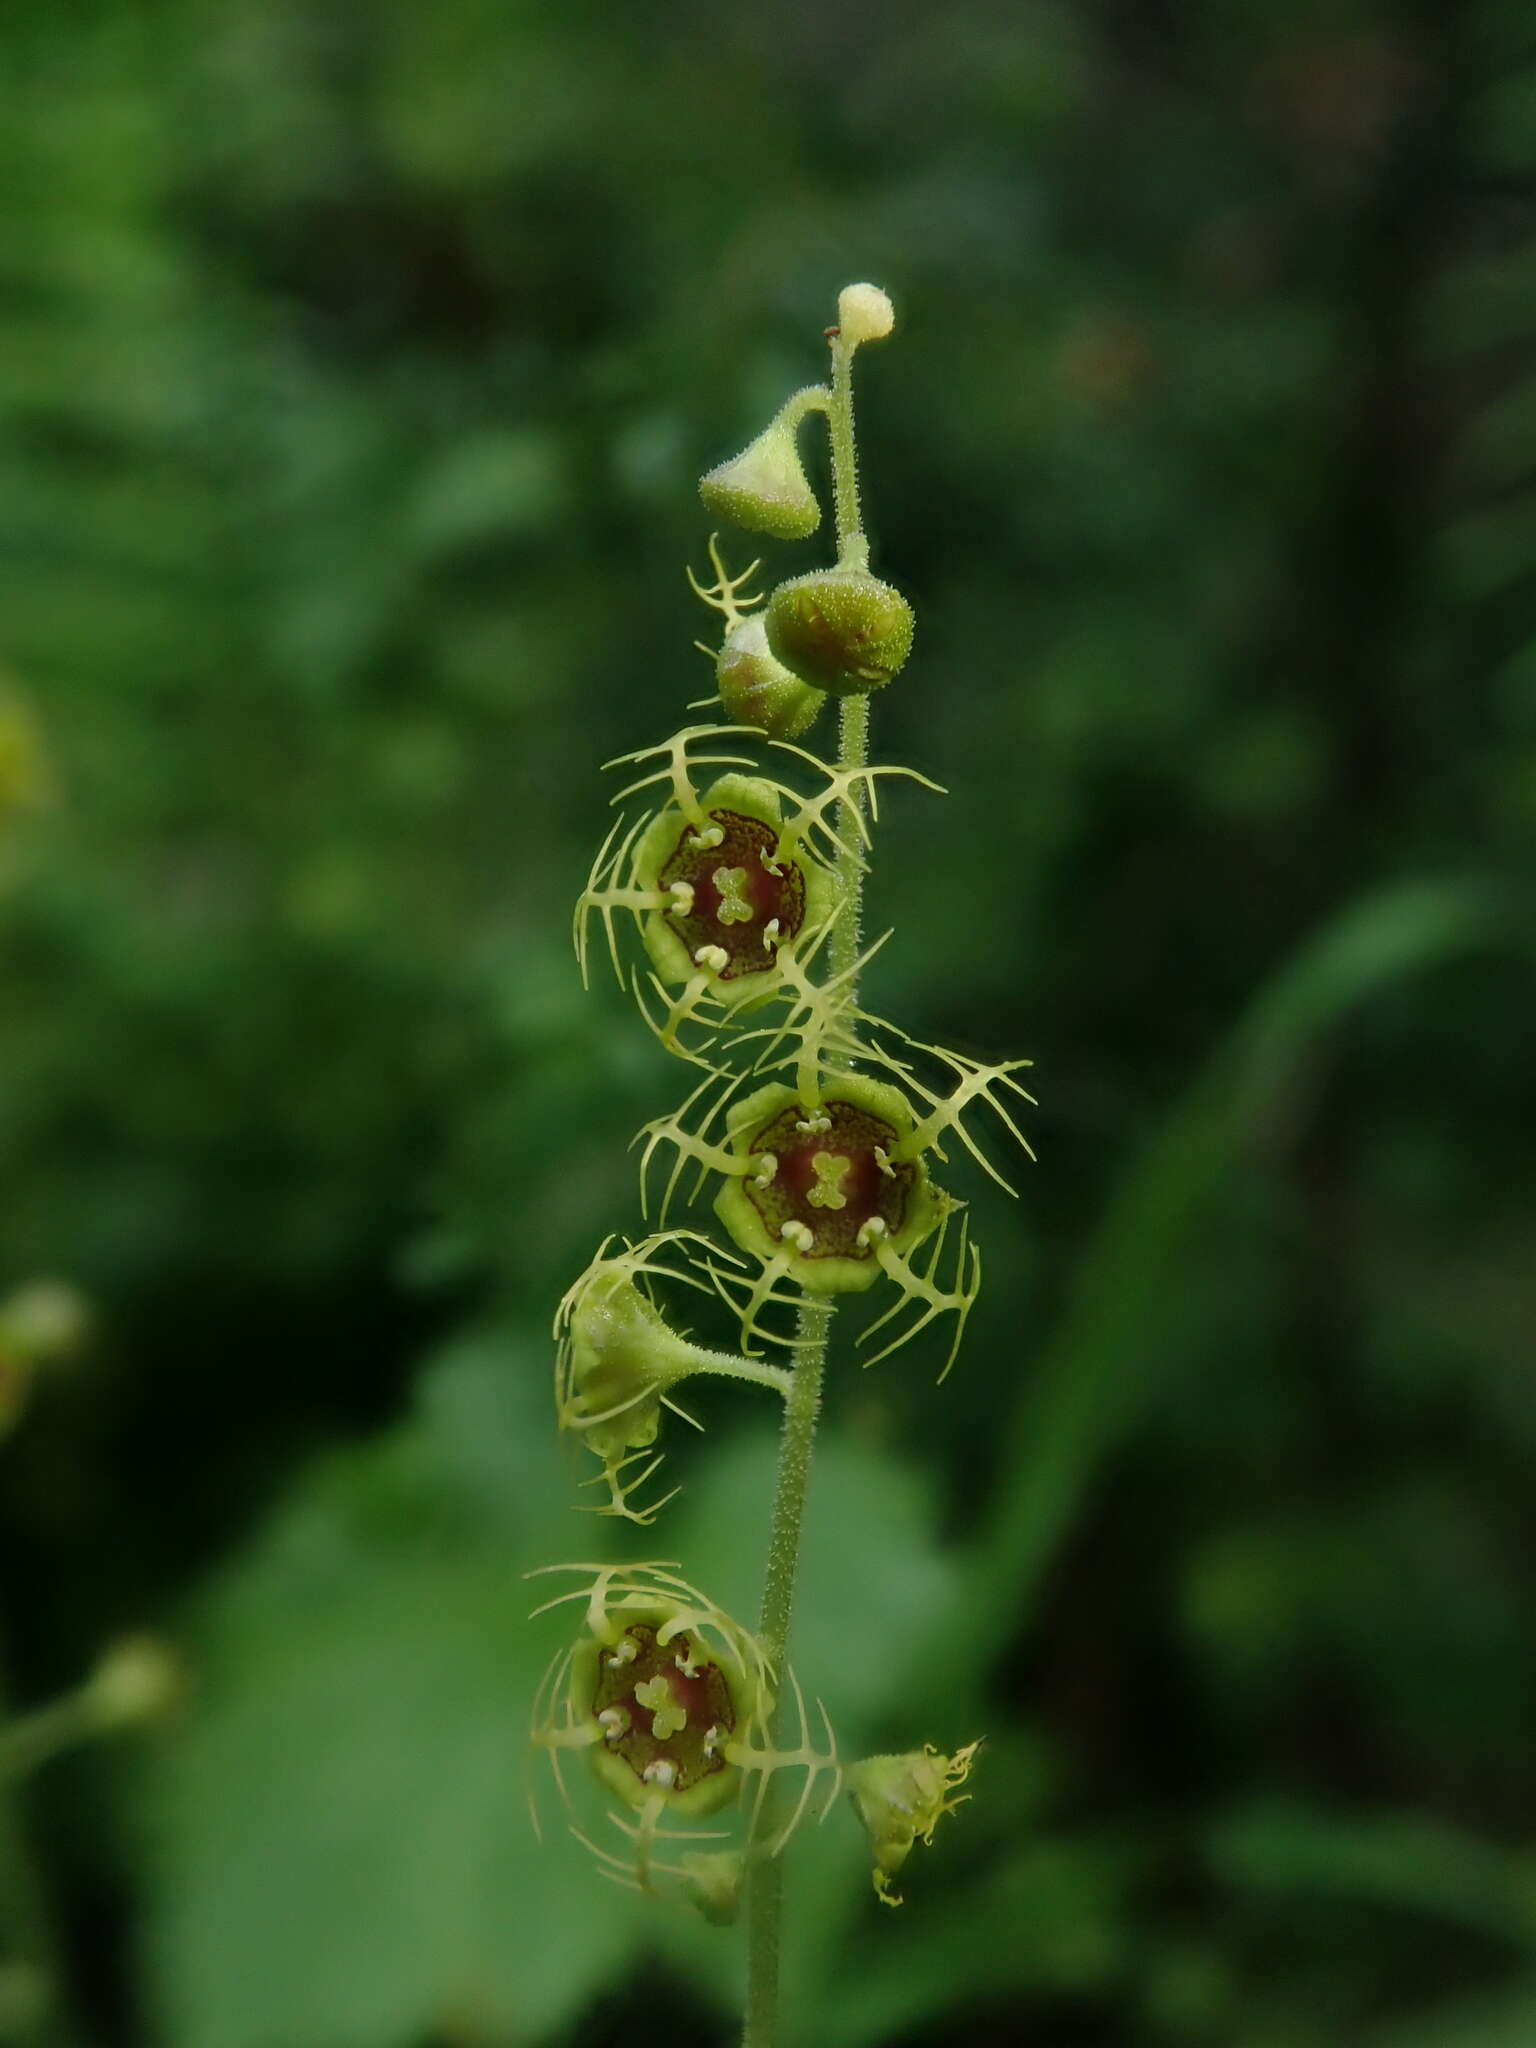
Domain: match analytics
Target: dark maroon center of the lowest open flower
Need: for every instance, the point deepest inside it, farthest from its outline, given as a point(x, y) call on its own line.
point(665, 1705)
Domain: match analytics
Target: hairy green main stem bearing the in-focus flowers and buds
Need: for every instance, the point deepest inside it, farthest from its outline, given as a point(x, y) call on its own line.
point(804, 1402)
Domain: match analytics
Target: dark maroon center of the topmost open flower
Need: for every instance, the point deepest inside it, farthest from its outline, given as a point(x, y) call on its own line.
point(738, 902)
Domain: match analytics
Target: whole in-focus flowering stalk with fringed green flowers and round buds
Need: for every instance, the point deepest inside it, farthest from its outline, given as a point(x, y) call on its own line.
point(814, 1125)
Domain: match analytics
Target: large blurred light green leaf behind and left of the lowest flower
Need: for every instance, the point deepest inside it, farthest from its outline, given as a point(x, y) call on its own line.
point(339, 1840)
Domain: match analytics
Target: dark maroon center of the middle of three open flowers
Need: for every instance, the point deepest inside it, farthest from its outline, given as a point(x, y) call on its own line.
point(833, 1172)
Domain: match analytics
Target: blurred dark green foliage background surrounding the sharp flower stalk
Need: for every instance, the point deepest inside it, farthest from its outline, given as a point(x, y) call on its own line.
point(355, 372)
